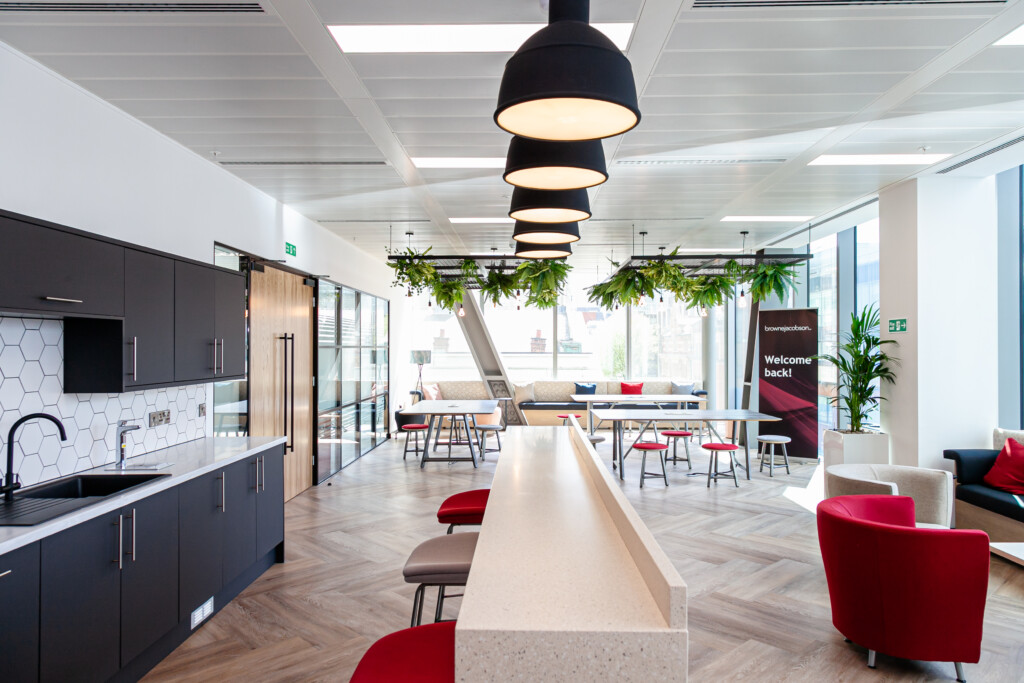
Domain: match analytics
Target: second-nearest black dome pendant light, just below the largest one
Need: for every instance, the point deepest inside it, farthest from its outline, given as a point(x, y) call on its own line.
point(554, 164)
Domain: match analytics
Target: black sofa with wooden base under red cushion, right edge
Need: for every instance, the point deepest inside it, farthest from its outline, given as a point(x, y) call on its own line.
point(980, 506)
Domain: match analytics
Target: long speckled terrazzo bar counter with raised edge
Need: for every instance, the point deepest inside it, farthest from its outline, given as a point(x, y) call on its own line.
point(568, 583)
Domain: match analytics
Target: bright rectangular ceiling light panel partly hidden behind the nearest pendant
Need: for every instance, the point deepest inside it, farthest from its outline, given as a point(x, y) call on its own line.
point(452, 37)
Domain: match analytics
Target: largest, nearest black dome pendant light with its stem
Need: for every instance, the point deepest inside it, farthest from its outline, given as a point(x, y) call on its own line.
point(568, 82)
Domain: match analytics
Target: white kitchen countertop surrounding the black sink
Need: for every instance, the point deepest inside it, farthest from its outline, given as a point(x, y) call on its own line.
point(188, 460)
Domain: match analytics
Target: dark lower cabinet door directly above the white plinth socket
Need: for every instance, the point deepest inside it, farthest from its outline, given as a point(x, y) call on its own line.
point(200, 541)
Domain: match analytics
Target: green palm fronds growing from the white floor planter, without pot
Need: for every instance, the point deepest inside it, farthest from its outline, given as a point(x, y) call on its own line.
point(861, 362)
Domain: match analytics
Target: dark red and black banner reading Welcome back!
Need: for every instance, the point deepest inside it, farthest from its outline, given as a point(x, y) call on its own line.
point(788, 386)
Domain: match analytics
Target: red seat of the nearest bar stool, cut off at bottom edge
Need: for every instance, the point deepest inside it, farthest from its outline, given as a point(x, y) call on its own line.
point(421, 655)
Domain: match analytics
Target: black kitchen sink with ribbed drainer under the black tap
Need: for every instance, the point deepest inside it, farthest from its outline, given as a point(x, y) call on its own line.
point(50, 501)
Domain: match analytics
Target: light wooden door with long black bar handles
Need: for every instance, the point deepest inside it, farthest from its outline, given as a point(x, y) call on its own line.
point(280, 305)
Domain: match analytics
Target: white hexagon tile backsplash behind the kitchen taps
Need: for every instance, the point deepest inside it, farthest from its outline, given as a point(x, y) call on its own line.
point(32, 381)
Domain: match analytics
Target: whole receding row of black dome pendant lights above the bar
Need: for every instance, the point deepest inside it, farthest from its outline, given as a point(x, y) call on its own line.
point(565, 90)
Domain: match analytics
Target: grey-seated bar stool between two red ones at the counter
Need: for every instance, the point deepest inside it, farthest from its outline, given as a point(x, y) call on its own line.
point(442, 562)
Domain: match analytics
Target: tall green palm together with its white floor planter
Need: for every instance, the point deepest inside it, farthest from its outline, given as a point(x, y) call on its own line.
point(861, 363)
